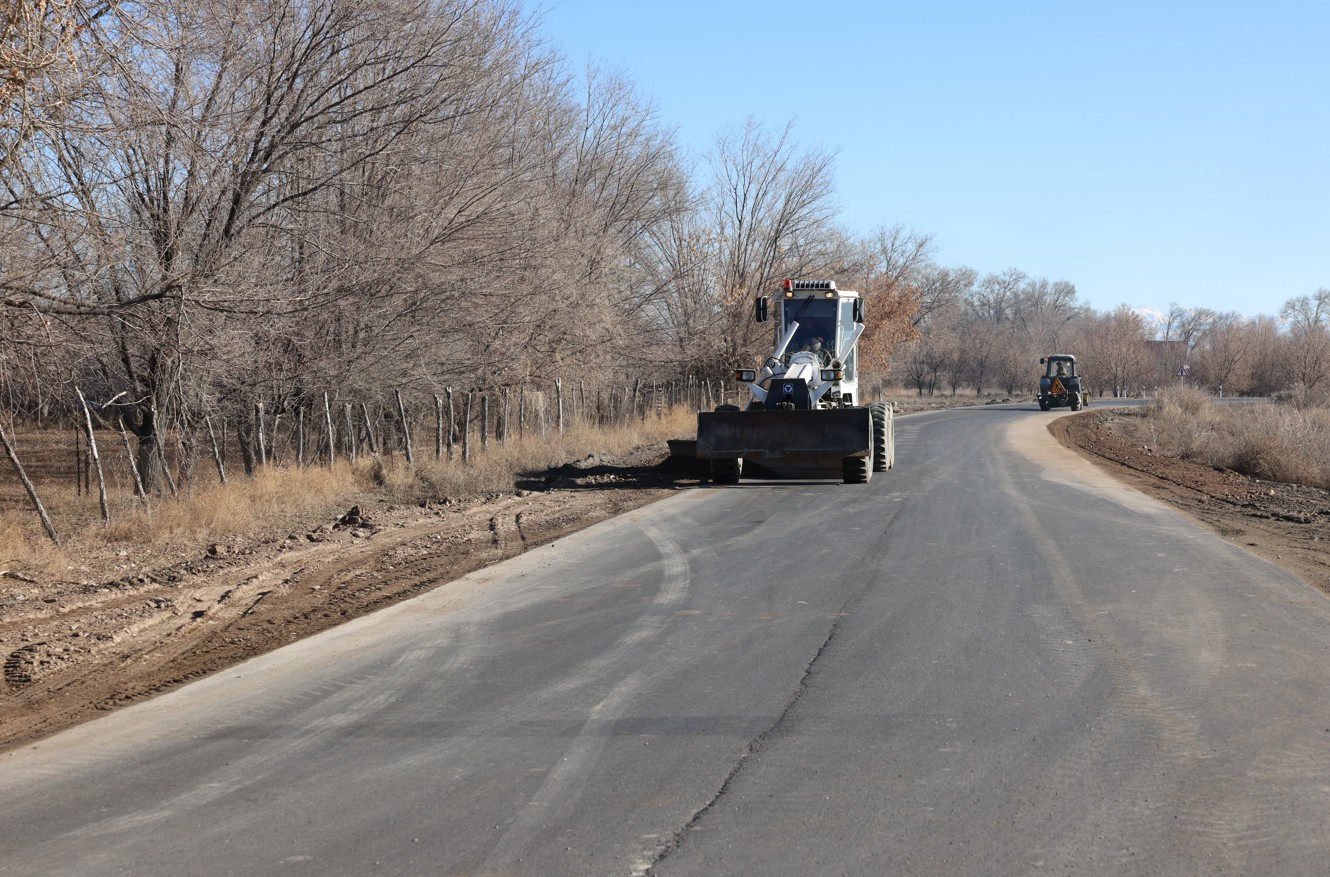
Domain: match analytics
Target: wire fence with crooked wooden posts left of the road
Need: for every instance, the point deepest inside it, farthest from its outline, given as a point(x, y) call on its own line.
point(332, 429)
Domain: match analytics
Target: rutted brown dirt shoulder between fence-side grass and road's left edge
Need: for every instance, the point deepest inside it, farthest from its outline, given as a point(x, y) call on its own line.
point(74, 650)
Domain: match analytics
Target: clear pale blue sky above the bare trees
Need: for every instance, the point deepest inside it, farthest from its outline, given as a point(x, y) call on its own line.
point(1147, 152)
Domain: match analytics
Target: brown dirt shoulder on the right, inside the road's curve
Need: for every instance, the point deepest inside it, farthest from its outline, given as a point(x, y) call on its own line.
point(1288, 525)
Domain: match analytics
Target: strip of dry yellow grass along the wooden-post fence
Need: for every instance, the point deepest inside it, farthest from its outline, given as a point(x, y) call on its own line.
point(287, 500)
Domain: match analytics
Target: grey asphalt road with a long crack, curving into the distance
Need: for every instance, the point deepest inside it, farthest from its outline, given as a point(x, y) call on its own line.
point(992, 661)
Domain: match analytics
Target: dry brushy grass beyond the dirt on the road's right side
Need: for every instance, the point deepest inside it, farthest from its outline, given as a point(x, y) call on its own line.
point(1264, 440)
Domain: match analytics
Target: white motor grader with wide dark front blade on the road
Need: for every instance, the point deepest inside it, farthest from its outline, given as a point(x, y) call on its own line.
point(805, 417)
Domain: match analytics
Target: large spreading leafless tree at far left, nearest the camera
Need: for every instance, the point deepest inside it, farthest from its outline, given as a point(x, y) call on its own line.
point(245, 164)
